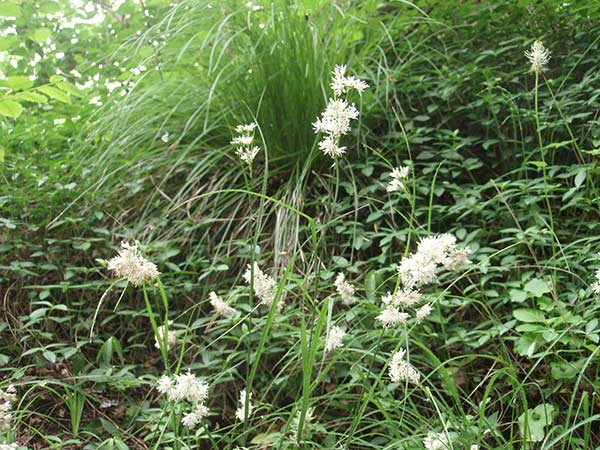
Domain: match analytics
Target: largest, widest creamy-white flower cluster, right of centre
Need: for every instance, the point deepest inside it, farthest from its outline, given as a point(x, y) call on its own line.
point(421, 267)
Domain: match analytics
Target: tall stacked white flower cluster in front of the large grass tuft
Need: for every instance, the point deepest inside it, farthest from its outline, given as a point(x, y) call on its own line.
point(335, 120)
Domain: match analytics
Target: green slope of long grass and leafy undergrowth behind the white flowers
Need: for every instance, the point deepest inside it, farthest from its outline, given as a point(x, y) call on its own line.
point(456, 82)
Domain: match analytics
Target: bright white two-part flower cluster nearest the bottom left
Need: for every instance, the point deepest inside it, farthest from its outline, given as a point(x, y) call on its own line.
point(186, 387)
